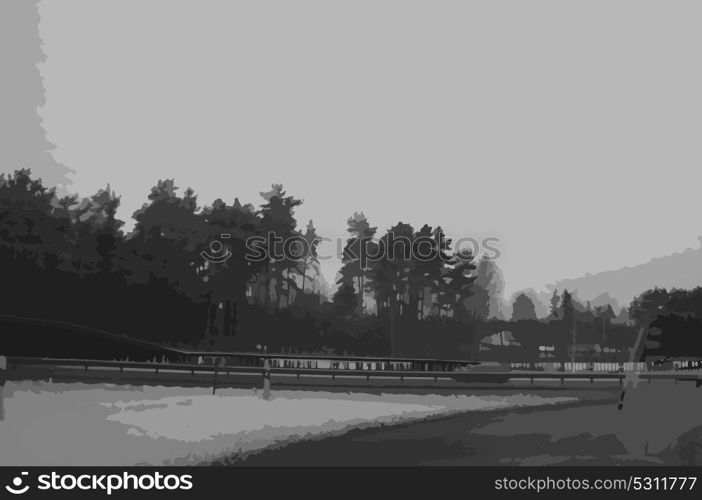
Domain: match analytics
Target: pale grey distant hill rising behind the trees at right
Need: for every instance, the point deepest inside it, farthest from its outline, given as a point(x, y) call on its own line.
point(680, 270)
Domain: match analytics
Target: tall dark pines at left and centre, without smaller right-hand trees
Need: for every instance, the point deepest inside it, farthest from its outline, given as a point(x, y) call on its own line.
point(69, 258)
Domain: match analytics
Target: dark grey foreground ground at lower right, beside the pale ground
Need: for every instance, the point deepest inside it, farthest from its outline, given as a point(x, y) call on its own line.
point(659, 424)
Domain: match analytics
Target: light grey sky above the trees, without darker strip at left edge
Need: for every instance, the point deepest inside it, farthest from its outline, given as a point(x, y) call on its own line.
point(569, 130)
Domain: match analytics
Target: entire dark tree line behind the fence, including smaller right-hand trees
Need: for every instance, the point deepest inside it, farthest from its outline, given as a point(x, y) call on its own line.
point(404, 291)
